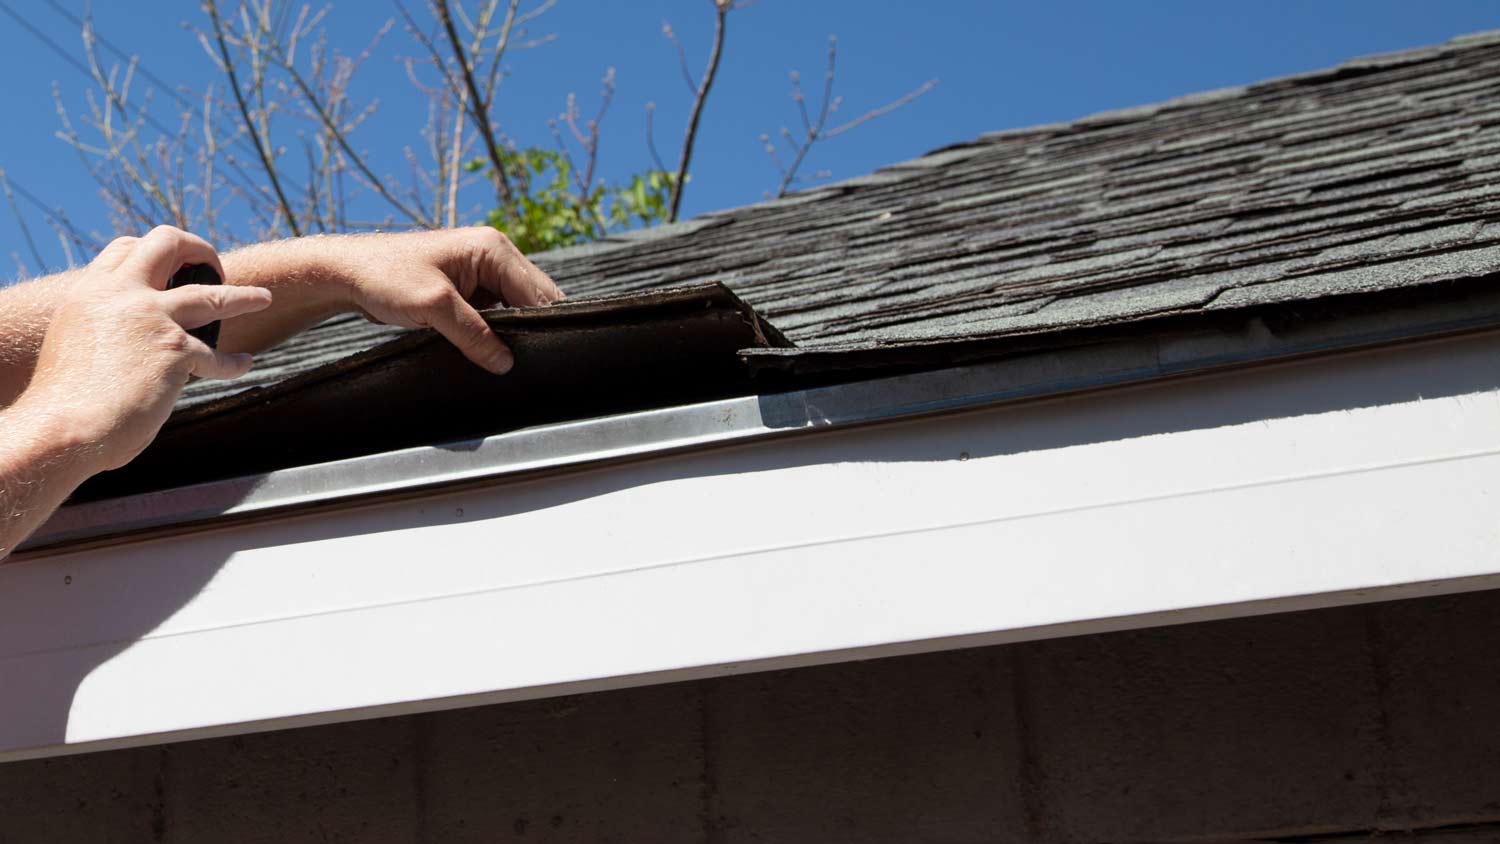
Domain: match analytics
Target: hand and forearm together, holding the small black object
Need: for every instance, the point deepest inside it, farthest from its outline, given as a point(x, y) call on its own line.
point(113, 362)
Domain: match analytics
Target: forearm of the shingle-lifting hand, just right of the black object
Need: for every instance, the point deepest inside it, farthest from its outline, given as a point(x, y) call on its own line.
point(307, 281)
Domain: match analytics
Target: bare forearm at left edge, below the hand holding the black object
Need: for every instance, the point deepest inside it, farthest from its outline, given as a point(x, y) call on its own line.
point(41, 465)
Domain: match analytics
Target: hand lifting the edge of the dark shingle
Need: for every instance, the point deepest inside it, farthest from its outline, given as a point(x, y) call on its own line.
point(439, 280)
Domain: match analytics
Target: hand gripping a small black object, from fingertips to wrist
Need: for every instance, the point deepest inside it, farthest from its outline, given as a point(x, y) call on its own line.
point(118, 352)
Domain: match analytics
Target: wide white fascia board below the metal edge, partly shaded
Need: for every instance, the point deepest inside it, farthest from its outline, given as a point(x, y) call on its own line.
point(1334, 480)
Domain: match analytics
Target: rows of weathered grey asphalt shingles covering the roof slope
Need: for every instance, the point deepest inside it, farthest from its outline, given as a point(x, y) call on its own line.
point(1378, 175)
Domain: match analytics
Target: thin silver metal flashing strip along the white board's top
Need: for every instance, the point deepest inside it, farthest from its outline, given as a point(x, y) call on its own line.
point(638, 435)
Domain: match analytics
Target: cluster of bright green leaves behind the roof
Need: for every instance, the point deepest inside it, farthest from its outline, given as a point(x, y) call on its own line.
point(553, 212)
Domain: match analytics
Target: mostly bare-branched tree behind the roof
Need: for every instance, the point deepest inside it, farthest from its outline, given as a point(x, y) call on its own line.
point(268, 148)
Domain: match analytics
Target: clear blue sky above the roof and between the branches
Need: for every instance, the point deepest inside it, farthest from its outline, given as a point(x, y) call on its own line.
point(1000, 65)
